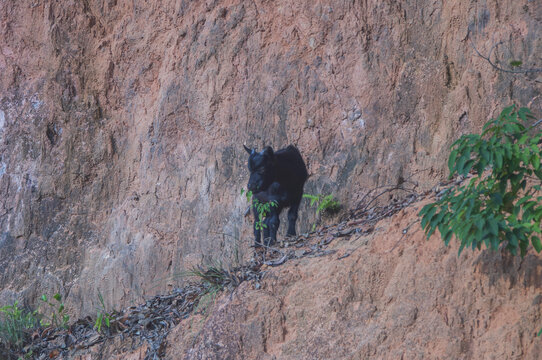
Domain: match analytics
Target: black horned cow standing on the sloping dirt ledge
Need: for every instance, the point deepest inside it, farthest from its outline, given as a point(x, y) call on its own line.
point(276, 176)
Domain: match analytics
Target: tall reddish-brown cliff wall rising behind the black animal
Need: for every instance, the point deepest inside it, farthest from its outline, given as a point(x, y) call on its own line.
point(121, 122)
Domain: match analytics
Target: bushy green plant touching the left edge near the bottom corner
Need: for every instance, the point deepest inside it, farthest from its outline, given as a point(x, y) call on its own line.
point(15, 325)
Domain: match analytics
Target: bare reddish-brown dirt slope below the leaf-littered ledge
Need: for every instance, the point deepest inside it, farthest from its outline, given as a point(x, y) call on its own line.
point(364, 290)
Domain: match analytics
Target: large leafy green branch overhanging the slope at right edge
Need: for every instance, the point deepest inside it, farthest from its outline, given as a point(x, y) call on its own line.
point(497, 205)
